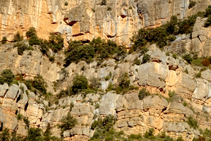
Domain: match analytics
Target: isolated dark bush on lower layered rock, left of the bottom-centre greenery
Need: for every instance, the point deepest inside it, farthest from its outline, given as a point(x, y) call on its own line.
point(67, 123)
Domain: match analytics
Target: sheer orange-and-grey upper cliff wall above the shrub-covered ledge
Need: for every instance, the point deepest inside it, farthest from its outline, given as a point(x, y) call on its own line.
point(88, 19)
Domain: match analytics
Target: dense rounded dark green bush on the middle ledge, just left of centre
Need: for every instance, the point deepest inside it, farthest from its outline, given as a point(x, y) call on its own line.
point(80, 83)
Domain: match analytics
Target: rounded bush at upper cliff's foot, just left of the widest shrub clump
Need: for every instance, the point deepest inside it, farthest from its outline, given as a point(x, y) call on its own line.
point(56, 42)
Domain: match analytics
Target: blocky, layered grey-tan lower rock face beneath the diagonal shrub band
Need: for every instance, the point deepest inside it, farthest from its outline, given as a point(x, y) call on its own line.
point(161, 75)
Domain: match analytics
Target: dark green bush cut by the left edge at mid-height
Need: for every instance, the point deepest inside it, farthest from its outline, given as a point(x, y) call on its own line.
point(6, 77)
